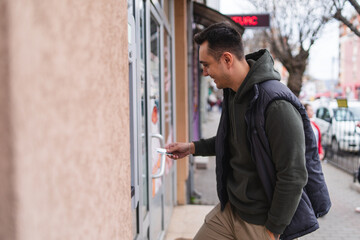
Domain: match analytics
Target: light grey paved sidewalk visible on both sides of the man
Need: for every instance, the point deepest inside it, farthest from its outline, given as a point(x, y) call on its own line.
point(342, 222)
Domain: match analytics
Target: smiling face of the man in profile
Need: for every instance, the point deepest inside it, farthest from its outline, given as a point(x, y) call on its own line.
point(212, 67)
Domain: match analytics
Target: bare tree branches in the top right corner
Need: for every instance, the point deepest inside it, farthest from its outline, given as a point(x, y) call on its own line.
point(339, 6)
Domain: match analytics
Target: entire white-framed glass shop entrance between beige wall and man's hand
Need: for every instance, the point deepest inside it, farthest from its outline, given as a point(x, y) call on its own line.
point(153, 173)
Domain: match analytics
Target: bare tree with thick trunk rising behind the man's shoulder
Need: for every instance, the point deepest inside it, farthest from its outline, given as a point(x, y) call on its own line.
point(295, 26)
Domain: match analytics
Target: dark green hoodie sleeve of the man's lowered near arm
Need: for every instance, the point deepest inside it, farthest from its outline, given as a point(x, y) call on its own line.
point(285, 131)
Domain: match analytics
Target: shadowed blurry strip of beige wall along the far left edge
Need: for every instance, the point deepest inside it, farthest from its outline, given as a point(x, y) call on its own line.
point(7, 190)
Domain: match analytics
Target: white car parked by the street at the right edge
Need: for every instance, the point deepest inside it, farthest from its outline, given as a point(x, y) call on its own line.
point(339, 126)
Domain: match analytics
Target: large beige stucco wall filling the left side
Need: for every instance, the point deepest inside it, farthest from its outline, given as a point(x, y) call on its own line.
point(65, 110)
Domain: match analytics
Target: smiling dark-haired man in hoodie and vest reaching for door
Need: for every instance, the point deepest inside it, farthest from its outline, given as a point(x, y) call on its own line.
point(260, 145)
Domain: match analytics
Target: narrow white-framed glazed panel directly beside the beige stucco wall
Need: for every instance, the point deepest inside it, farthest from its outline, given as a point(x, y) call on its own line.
point(140, 170)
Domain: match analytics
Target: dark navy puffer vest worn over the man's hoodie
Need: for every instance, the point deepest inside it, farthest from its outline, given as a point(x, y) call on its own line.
point(315, 199)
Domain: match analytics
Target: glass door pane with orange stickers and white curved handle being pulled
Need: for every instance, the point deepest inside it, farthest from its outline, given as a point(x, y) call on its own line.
point(156, 128)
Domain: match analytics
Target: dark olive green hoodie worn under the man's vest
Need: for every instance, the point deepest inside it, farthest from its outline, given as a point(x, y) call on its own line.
point(284, 129)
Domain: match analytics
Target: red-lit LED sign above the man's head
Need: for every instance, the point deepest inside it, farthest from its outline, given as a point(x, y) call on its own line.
point(252, 20)
